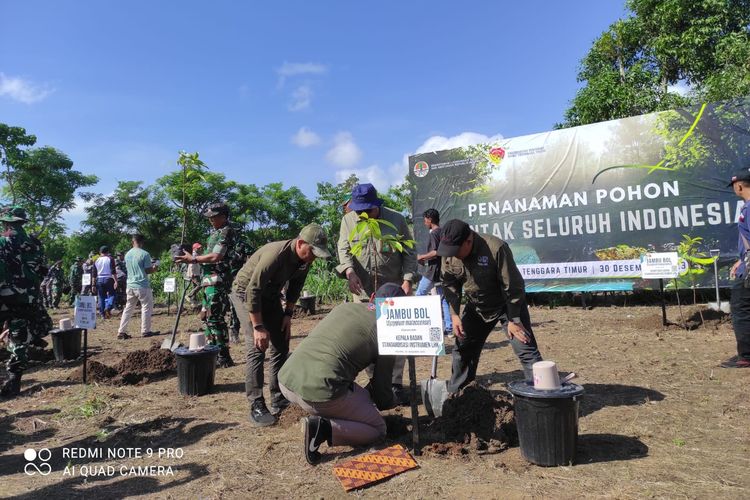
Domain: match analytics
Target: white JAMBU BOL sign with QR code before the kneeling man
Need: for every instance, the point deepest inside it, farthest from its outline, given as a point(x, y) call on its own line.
point(410, 326)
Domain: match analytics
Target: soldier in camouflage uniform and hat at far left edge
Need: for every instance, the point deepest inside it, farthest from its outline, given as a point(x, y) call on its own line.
point(21, 269)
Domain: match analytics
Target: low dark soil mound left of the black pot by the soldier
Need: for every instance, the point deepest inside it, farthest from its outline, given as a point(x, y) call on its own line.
point(136, 368)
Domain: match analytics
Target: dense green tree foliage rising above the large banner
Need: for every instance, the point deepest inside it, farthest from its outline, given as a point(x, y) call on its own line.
point(633, 67)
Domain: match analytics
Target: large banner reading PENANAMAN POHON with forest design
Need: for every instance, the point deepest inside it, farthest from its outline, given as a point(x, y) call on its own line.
point(579, 206)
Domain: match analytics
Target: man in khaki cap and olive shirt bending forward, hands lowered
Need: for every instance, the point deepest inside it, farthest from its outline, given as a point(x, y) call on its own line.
point(257, 293)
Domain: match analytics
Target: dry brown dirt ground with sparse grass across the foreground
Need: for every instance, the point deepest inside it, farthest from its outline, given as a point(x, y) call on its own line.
point(658, 419)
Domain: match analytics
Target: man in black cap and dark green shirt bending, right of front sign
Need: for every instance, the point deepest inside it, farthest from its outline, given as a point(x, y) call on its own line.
point(481, 267)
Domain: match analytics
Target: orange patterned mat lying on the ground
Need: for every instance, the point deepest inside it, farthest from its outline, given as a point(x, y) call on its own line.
point(371, 468)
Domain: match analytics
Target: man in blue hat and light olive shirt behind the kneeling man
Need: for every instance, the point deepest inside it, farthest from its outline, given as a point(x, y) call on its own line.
point(390, 265)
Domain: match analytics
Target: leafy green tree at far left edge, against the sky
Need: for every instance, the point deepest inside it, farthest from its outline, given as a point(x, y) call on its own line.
point(45, 184)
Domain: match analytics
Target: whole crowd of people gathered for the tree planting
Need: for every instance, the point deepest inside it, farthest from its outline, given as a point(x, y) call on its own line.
point(258, 292)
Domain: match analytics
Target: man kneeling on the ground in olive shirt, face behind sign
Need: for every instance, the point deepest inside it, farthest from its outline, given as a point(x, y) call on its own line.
point(319, 377)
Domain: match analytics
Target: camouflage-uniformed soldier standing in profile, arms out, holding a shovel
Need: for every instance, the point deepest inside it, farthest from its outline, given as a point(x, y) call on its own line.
point(216, 279)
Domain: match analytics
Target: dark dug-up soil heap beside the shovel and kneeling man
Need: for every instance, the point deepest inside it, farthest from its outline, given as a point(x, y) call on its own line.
point(473, 421)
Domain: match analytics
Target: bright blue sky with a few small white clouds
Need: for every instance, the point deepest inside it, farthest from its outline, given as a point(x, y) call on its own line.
point(298, 92)
